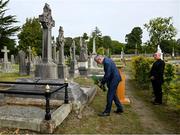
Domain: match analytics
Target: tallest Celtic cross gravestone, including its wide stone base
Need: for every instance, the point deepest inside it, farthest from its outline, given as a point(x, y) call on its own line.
point(47, 69)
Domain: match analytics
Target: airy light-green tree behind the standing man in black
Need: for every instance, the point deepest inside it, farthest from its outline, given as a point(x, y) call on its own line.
point(160, 29)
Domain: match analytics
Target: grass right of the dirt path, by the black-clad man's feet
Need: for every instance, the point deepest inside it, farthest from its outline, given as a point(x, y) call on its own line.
point(168, 114)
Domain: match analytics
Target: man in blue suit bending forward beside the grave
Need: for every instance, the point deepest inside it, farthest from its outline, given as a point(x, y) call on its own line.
point(112, 78)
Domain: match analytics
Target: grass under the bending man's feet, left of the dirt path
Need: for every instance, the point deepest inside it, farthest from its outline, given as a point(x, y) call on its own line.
point(91, 123)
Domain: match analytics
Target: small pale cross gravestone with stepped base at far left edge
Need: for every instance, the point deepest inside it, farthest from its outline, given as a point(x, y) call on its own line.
point(6, 65)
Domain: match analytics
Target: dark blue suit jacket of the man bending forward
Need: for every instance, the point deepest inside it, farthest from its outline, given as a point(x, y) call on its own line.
point(111, 72)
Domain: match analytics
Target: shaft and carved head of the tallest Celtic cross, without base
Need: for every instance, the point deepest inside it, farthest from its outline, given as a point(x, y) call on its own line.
point(47, 24)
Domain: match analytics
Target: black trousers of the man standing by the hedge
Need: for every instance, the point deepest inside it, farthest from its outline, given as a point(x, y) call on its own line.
point(157, 89)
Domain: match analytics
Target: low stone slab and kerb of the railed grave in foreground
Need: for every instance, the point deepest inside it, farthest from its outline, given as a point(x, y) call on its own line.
point(32, 118)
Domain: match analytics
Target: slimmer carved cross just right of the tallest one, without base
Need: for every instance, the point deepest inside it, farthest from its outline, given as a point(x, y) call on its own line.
point(60, 42)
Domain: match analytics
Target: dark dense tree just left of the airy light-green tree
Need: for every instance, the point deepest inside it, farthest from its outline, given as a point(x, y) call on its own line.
point(134, 40)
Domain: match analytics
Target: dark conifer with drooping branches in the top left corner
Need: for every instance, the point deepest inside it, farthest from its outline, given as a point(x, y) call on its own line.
point(7, 30)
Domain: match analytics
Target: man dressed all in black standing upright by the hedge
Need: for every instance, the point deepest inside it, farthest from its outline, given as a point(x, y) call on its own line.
point(156, 75)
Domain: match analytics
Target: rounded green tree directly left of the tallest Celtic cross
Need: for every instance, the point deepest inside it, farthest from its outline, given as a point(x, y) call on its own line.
point(31, 35)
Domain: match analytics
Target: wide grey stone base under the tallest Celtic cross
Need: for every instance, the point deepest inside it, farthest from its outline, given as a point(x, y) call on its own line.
point(46, 70)
